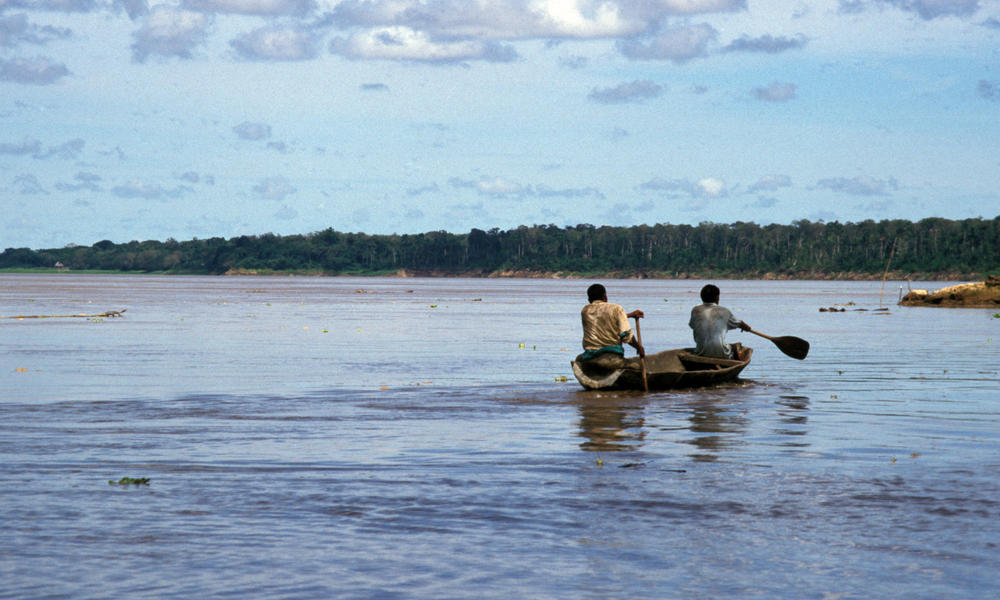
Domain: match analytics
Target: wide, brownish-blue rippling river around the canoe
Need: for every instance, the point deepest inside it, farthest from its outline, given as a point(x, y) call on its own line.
point(425, 438)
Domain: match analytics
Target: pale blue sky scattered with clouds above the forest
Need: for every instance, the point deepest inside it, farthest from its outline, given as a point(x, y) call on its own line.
point(135, 120)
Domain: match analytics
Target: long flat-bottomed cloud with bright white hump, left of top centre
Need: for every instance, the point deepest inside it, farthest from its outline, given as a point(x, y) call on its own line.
point(405, 44)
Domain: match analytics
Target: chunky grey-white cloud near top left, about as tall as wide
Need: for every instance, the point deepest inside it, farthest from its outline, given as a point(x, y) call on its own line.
point(169, 31)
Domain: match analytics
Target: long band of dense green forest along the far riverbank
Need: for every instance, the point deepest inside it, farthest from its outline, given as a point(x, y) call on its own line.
point(937, 248)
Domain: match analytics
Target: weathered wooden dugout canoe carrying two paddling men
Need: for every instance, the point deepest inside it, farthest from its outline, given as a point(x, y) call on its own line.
point(667, 370)
